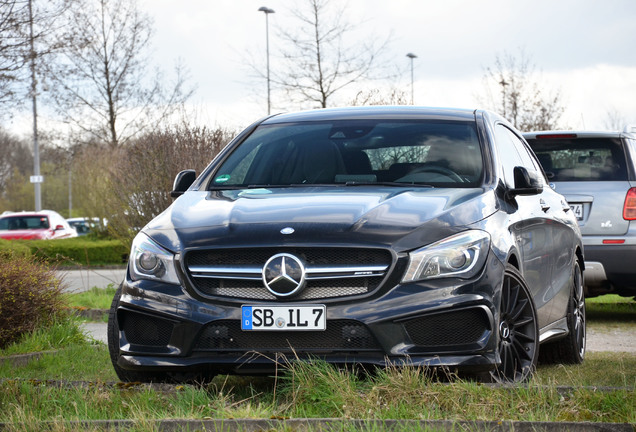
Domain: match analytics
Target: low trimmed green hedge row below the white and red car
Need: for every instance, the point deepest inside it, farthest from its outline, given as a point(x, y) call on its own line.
point(73, 251)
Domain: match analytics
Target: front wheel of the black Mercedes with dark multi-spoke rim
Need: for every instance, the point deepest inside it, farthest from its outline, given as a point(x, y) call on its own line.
point(518, 332)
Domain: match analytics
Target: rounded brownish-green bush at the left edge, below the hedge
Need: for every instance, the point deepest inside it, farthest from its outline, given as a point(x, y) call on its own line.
point(30, 297)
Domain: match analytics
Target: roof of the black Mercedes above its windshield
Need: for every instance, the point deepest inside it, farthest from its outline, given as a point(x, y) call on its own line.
point(374, 112)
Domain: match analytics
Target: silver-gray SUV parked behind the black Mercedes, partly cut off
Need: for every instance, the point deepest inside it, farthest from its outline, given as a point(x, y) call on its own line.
point(595, 171)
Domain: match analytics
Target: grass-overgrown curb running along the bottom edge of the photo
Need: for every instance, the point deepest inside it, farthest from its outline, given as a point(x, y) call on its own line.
point(260, 425)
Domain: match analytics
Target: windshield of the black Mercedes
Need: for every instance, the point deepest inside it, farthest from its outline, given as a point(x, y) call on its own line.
point(430, 153)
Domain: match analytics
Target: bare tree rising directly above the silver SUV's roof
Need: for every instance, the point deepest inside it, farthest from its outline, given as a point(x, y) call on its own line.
point(513, 90)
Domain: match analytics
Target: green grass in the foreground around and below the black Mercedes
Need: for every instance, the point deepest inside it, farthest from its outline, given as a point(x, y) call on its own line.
point(314, 390)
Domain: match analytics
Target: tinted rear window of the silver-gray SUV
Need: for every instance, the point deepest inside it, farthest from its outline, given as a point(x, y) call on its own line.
point(581, 159)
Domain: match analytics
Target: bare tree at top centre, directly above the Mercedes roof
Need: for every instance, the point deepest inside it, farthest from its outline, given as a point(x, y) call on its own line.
point(316, 61)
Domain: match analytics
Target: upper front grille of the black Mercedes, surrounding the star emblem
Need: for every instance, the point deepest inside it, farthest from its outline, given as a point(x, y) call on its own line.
point(331, 272)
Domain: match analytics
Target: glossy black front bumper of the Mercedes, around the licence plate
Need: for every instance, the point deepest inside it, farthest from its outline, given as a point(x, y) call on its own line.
point(446, 323)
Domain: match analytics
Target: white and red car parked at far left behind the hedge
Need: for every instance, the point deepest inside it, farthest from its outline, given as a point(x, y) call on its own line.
point(42, 225)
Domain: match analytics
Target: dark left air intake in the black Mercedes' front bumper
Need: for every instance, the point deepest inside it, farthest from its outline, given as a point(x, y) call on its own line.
point(140, 329)
